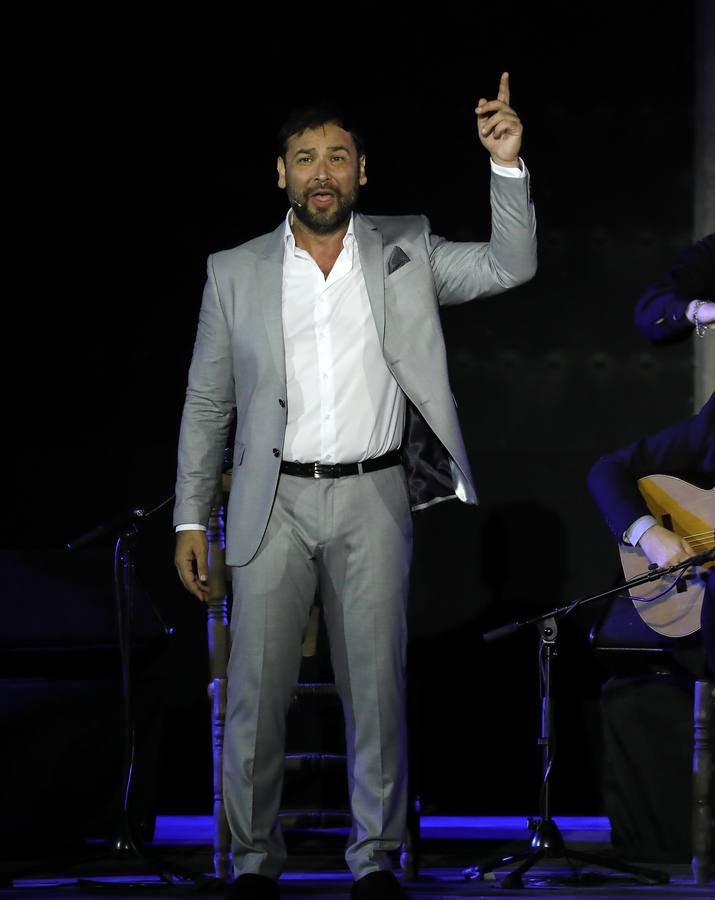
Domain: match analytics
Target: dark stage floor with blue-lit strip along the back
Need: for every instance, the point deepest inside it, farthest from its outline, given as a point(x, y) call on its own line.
point(449, 845)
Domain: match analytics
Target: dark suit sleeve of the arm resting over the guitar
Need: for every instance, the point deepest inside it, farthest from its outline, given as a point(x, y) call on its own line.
point(686, 450)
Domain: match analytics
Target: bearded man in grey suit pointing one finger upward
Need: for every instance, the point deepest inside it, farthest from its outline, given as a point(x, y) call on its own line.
point(323, 339)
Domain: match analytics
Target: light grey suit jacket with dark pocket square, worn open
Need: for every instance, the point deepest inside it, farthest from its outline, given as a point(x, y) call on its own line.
point(238, 365)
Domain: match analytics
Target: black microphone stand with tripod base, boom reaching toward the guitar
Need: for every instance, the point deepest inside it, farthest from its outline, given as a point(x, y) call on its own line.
point(546, 839)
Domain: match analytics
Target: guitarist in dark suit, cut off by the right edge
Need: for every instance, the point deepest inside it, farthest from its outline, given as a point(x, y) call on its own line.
point(685, 450)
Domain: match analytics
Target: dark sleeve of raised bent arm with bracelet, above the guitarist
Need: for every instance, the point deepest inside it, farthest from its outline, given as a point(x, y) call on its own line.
point(659, 313)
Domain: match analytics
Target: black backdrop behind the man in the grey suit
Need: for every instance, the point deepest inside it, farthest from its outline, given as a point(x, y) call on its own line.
point(143, 145)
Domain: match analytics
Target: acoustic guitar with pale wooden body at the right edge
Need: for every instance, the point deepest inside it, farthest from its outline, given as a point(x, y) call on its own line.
point(671, 605)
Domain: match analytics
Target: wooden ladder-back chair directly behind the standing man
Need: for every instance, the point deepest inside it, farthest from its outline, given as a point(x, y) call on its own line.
point(218, 646)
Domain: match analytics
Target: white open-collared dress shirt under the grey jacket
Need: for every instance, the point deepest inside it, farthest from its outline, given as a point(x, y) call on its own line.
point(343, 403)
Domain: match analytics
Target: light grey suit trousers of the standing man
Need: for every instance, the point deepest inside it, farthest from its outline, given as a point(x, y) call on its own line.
point(350, 539)
